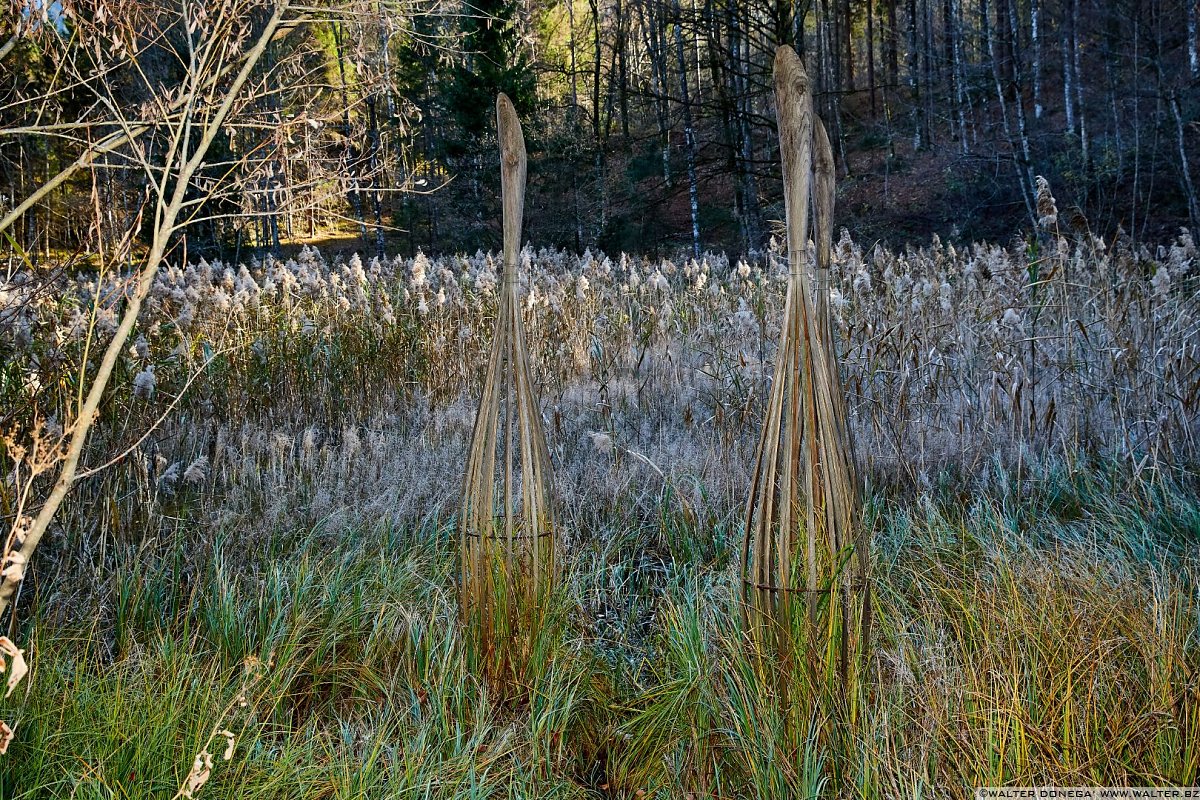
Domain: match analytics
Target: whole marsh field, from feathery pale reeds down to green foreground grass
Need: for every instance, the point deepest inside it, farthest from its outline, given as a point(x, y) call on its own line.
point(1024, 418)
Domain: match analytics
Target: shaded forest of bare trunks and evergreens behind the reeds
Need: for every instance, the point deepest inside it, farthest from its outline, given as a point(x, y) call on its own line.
point(650, 123)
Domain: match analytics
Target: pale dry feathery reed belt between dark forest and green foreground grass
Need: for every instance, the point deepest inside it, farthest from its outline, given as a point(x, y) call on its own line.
point(319, 393)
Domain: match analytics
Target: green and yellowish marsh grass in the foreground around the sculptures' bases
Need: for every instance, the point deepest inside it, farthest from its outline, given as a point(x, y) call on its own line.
point(1047, 634)
